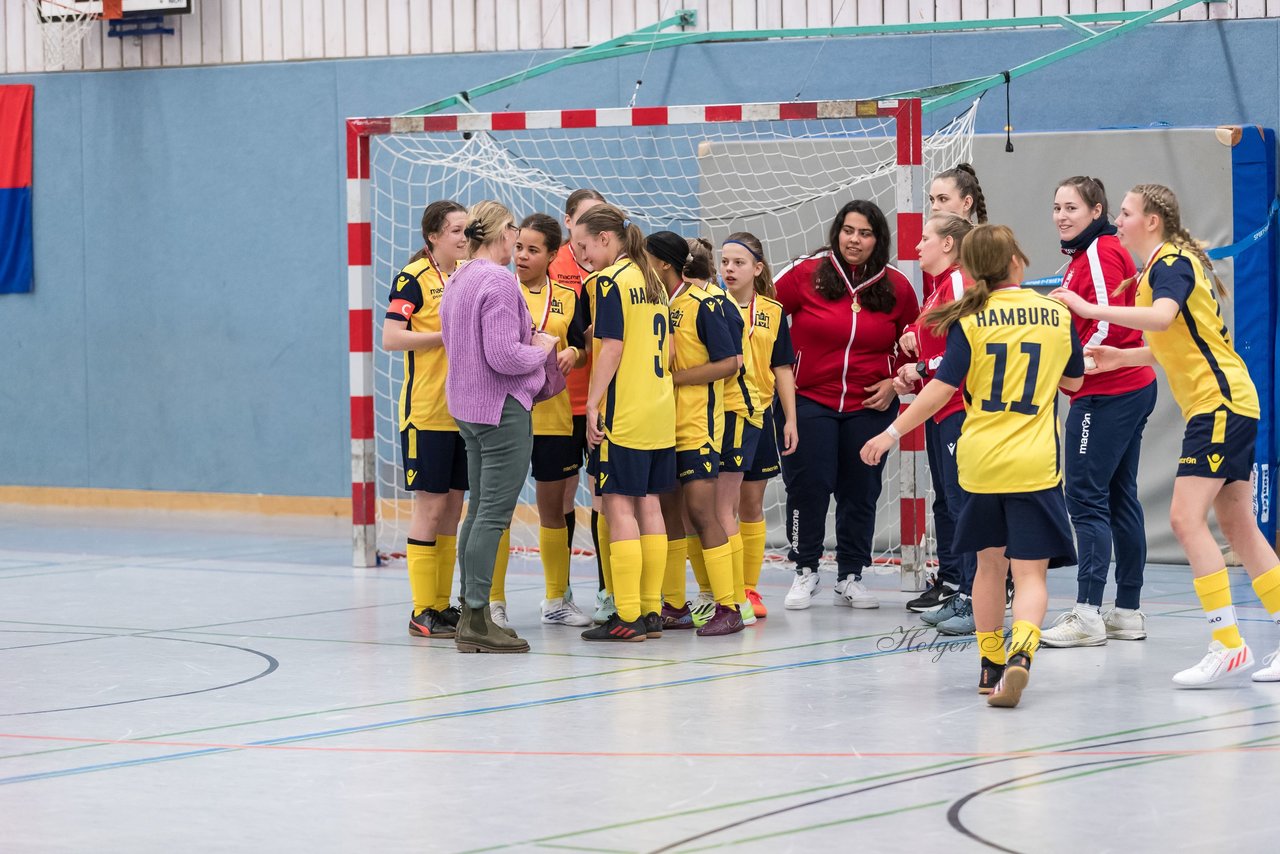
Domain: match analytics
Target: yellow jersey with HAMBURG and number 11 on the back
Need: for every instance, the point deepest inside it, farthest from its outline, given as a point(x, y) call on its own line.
point(1011, 358)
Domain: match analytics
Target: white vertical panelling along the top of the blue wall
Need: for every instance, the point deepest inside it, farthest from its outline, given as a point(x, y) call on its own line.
point(252, 31)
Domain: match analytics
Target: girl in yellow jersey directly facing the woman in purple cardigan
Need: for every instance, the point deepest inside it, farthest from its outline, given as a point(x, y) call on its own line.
point(556, 459)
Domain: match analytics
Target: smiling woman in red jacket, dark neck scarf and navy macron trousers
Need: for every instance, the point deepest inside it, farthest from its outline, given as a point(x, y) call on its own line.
point(1104, 431)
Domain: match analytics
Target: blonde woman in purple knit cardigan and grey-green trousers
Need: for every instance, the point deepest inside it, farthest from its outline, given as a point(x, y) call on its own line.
point(497, 366)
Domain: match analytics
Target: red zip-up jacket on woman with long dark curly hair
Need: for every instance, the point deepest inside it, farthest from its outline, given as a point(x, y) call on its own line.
point(840, 351)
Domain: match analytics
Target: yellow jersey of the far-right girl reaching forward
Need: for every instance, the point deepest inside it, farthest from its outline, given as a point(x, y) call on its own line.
point(1205, 372)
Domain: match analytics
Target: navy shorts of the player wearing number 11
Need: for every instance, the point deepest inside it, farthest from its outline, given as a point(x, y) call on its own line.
point(1031, 526)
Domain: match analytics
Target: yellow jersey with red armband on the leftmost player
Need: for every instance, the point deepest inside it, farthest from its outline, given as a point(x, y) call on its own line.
point(415, 299)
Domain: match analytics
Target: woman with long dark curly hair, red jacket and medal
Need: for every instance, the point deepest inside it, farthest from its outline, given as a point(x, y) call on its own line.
point(848, 309)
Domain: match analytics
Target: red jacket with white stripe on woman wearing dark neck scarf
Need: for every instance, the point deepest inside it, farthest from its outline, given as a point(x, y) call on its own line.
point(1095, 273)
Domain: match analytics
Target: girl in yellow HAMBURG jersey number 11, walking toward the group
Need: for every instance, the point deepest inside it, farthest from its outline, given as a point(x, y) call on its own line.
point(1012, 350)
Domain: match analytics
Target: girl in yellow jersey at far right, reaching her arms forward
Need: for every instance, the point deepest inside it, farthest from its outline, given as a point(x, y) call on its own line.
point(1185, 331)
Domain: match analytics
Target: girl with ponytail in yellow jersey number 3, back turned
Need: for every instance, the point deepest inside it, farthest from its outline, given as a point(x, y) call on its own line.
point(630, 418)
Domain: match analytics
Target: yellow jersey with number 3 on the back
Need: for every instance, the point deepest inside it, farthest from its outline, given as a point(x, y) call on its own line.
point(639, 407)
